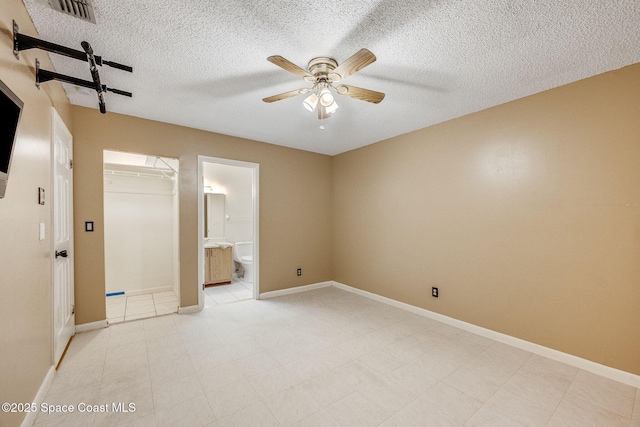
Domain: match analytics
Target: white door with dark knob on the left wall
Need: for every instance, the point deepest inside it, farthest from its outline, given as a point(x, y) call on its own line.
point(62, 237)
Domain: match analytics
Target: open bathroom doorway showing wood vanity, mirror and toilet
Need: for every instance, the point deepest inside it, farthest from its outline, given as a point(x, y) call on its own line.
point(228, 264)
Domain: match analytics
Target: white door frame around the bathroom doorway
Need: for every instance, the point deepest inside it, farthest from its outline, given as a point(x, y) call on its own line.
point(255, 167)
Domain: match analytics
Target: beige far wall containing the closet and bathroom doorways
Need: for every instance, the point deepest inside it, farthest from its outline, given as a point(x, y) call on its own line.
point(295, 203)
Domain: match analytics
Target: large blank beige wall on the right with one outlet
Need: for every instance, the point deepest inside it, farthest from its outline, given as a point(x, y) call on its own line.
point(526, 216)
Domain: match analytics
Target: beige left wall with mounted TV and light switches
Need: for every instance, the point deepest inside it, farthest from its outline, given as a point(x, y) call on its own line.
point(25, 261)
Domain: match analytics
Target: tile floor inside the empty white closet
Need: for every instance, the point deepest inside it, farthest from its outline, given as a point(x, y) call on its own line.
point(121, 308)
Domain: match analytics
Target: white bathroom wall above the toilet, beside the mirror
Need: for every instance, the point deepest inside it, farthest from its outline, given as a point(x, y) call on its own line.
point(236, 183)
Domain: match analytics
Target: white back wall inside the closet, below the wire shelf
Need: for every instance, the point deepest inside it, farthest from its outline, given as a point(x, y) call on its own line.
point(139, 228)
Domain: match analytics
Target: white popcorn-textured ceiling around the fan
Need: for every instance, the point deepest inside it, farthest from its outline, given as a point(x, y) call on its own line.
point(203, 64)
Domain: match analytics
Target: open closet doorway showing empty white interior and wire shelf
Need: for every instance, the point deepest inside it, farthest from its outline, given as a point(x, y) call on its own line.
point(141, 235)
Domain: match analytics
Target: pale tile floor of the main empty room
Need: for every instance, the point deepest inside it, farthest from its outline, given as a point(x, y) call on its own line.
point(322, 358)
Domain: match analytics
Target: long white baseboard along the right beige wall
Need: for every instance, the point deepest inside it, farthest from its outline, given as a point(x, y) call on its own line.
point(584, 364)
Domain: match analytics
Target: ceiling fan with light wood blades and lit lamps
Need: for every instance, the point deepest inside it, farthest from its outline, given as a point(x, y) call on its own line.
point(323, 72)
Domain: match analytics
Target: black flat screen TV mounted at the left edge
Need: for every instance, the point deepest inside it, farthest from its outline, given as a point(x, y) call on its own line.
point(10, 111)
